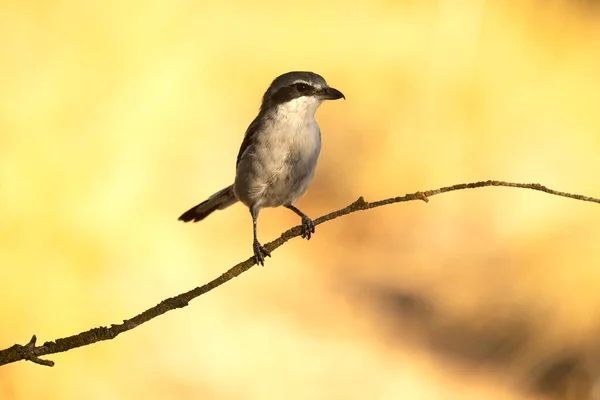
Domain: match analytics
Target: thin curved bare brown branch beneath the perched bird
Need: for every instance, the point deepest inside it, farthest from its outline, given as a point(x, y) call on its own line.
point(32, 352)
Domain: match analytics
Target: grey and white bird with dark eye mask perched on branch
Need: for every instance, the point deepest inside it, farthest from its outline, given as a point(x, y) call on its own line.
point(278, 156)
